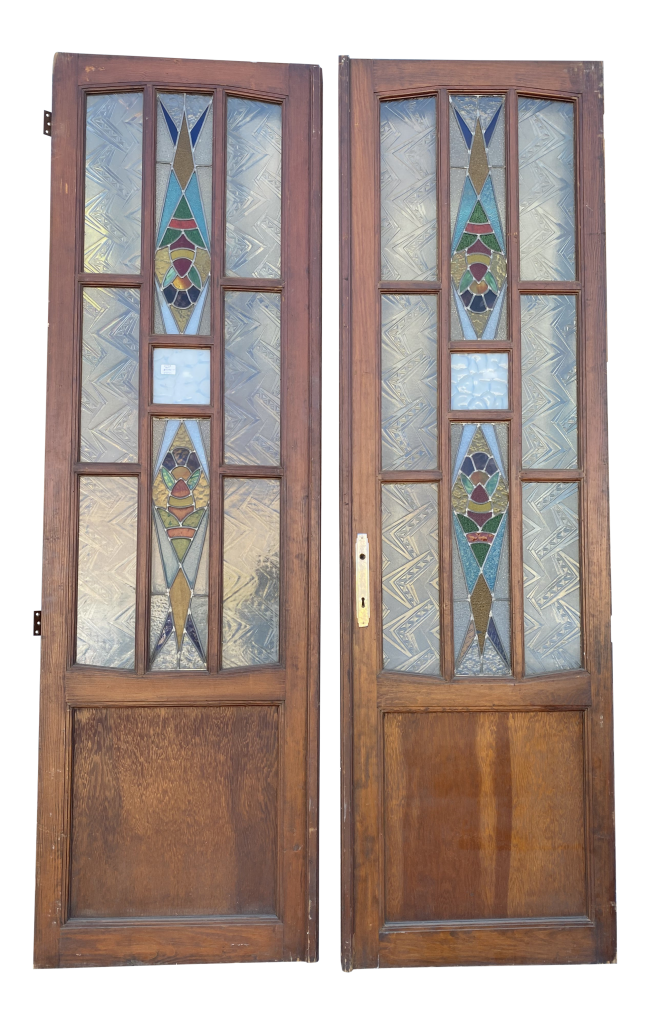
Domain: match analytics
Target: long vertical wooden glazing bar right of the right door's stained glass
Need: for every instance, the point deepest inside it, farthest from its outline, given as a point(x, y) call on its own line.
point(516, 542)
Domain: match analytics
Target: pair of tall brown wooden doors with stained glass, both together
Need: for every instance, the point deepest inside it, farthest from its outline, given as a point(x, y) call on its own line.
point(179, 765)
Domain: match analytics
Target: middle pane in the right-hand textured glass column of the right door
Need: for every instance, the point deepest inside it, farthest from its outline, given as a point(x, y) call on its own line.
point(549, 381)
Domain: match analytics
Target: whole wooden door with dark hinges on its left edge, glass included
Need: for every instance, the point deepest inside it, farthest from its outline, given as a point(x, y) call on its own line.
point(181, 614)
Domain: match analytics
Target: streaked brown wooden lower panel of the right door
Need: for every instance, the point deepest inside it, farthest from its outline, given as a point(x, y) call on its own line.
point(485, 816)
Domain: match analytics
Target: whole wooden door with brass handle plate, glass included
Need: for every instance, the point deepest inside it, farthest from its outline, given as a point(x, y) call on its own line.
point(478, 714)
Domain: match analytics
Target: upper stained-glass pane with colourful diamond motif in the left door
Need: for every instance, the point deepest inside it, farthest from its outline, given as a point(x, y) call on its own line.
point(184, 214)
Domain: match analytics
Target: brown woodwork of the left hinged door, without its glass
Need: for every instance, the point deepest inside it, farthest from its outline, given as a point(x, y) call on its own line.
point(98, 699)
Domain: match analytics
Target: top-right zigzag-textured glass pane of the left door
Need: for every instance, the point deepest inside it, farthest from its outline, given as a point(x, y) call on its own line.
point(254, 189)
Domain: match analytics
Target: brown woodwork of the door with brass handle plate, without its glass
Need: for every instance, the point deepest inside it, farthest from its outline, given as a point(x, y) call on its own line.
point(566, 716)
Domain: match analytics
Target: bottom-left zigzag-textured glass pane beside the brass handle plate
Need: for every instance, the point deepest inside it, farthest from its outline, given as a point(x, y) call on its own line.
point(410, 578)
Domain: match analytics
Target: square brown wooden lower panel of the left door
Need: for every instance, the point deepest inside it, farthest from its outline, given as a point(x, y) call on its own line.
point(175, 812)
